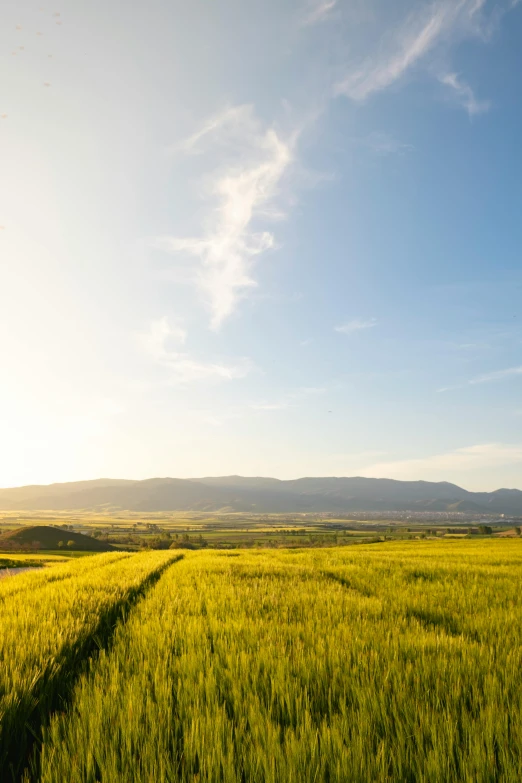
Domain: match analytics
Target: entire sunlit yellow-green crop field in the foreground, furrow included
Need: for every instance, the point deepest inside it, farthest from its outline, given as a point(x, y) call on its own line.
point(385, 662)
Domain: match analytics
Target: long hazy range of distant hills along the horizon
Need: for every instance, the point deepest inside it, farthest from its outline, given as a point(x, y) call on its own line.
point(260, 495)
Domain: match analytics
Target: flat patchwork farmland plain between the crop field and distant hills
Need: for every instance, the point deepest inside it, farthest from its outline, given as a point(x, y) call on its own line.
point(132, 532)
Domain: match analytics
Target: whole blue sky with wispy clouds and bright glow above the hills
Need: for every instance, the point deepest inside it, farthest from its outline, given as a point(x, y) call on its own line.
point(266, 238)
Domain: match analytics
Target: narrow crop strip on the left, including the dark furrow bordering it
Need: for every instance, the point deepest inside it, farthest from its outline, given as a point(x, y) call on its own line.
point(50, 624)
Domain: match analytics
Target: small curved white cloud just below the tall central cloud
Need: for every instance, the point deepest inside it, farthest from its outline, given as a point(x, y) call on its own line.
point(162, 342)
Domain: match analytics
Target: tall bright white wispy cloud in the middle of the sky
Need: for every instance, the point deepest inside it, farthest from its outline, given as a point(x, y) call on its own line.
point(245, 191)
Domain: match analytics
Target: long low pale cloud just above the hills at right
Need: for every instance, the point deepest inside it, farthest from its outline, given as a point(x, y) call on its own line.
point(468, 458)
